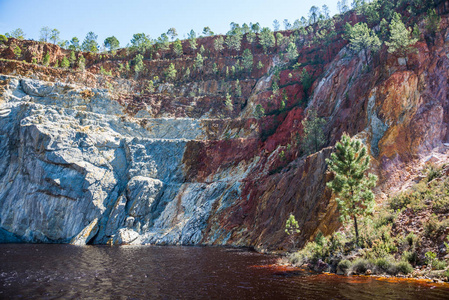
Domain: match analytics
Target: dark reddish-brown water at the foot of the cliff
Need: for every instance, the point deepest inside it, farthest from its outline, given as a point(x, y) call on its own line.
point(101, 272)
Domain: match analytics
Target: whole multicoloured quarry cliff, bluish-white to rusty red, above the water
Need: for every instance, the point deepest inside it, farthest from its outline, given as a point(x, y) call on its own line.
point(91, 158)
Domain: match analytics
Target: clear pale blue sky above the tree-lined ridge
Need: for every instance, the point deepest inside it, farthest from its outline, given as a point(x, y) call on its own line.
point(123, 18)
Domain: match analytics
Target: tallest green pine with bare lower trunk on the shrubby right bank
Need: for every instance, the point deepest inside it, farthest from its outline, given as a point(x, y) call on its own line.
point(351, 184)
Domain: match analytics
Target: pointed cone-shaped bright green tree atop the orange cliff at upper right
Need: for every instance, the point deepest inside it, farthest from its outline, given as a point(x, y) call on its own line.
point(400, 37)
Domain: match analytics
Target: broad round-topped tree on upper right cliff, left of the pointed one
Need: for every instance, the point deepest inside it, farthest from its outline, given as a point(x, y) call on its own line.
point(361, 38)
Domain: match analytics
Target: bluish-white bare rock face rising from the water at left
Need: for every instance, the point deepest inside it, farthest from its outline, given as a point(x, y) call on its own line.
point(74, 169)
